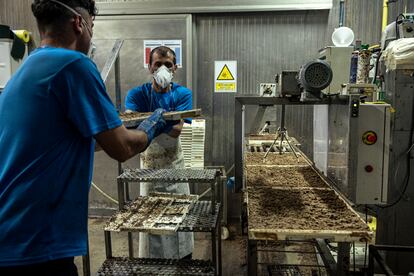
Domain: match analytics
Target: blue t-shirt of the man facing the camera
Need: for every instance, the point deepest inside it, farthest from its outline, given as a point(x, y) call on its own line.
point(144, 99)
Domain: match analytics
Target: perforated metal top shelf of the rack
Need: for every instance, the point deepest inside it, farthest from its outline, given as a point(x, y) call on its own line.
point(171, 175)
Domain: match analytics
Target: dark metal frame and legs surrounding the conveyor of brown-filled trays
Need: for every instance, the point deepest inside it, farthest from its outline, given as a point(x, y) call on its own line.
point(341, 267)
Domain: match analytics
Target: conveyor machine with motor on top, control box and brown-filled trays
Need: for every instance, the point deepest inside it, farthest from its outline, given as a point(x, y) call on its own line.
point(350, 138)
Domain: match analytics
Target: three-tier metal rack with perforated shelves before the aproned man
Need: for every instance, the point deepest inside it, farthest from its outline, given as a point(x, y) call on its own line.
point(203, 216)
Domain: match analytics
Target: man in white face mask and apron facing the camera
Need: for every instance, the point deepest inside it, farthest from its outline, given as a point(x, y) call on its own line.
point(165, 151)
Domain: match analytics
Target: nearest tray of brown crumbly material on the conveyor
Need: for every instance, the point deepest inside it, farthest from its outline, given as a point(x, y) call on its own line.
point(277, 213)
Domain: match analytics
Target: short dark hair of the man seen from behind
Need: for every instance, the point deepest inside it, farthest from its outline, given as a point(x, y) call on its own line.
point(48, 12)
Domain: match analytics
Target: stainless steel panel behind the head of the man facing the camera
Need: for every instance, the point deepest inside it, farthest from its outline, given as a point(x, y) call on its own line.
point(133, 30)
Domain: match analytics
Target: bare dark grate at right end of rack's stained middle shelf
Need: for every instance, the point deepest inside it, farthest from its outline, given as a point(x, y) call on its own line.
point(200, 218)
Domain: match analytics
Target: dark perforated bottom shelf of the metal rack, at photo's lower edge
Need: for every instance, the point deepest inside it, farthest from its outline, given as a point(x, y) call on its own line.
point(125, 266)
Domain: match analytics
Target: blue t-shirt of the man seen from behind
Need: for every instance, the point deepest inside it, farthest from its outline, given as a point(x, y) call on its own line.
point(50, 111)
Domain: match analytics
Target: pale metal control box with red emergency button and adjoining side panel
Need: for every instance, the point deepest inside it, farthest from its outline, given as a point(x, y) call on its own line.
point(358, 151)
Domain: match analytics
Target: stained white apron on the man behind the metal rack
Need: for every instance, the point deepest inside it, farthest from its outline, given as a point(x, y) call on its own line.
point(163, 153)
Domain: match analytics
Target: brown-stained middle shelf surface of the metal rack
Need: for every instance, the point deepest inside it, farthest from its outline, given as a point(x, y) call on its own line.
point(165, 214)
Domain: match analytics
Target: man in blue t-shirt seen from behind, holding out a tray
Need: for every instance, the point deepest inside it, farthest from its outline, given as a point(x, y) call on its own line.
point(51, 113)
